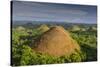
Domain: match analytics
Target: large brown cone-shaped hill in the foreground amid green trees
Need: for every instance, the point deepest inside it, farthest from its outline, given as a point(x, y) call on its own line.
point(56, 42)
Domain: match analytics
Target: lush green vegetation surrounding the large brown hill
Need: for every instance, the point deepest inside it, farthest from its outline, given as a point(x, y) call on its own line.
point(23, 38)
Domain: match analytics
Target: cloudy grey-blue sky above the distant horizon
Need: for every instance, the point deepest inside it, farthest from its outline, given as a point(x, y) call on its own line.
point(39, 11)
